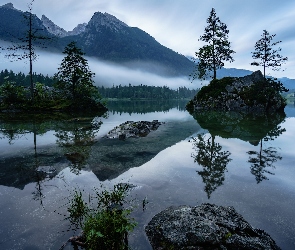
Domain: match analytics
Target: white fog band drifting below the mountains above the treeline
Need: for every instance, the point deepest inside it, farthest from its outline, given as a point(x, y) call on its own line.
point(106, 74)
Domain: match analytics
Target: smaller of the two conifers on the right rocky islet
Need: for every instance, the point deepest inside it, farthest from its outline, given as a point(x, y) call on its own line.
point(269, 57)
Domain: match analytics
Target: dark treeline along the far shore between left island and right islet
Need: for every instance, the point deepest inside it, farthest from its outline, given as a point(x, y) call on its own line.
point(146, 92)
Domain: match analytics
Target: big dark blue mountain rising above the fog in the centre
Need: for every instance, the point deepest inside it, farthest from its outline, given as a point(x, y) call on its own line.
point(111, 39)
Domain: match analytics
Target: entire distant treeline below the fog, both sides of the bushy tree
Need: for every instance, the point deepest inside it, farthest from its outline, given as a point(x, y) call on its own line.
point(130, 91)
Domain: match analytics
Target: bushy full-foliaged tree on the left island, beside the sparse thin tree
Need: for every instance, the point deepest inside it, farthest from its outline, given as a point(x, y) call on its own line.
point(74, 78)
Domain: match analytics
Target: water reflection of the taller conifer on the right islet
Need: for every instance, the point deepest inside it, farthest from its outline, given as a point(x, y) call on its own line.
point(209, 154)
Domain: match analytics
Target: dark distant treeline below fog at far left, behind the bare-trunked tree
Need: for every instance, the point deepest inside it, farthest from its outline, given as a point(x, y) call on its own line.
point(21, 79)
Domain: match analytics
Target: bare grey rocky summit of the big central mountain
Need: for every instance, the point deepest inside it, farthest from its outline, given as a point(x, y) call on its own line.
point(106, 20)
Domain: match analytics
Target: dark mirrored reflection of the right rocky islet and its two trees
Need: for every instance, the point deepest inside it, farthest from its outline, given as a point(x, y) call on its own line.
point(256, 129)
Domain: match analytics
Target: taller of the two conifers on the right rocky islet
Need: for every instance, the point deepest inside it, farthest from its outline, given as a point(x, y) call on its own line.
point(212, 56)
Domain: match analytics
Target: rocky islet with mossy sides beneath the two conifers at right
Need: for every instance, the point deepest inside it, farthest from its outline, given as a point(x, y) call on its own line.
point(252, 93)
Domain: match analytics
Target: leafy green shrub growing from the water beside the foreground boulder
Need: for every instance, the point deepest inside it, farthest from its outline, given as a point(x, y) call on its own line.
point(107, 225)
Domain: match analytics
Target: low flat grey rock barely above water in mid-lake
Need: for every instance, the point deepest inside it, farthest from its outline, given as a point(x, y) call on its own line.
point(133, 129)
